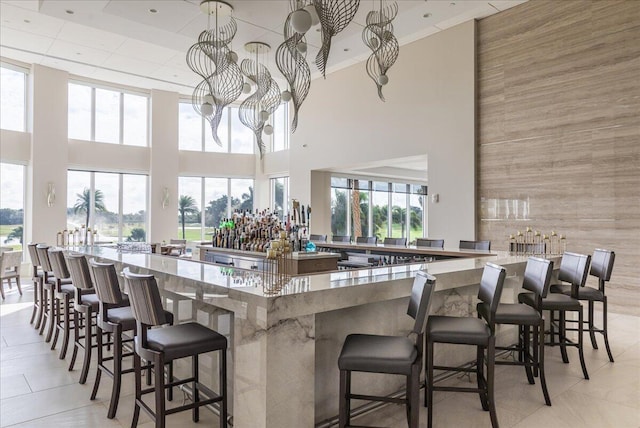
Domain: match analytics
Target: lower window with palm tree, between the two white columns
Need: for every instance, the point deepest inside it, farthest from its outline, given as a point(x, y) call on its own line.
point(98, 200)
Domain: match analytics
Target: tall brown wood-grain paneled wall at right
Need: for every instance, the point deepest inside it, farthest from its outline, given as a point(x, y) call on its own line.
point(559, 130)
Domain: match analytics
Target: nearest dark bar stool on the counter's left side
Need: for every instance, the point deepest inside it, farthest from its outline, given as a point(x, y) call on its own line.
point(163, 345)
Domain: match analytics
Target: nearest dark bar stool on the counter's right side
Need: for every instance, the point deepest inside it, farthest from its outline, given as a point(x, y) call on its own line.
point(396, 355)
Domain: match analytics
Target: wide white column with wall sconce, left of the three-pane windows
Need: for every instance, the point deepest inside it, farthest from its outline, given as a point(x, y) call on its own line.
point(46, 198)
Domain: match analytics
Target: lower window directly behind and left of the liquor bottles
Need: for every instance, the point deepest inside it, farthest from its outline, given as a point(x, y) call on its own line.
point(205, 201)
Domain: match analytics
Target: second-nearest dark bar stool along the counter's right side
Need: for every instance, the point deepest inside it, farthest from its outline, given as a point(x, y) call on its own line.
point(468, 331)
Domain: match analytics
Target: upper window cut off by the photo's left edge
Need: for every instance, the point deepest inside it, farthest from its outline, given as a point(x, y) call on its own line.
point(13, 95)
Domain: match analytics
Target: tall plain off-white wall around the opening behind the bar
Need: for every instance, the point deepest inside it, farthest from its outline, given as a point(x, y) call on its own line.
point(429, 109)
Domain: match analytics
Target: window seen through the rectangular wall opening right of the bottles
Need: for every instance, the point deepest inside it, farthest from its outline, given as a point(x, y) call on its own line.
point(388, 209)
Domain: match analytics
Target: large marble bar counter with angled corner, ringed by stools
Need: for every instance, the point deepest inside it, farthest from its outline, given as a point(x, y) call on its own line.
point(284, 348)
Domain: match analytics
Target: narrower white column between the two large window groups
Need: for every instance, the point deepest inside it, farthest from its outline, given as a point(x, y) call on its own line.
point(164, 167)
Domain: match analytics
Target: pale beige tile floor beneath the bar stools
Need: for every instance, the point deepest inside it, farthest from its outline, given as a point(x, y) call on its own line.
point(36, 390)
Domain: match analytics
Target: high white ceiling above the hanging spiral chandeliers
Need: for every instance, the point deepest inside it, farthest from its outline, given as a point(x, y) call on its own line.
point(142, 43)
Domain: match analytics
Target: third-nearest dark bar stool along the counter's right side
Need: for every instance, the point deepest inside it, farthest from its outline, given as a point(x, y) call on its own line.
point(537, 276)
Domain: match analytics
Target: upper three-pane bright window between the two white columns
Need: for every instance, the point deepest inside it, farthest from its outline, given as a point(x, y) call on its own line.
point(107, 116)
